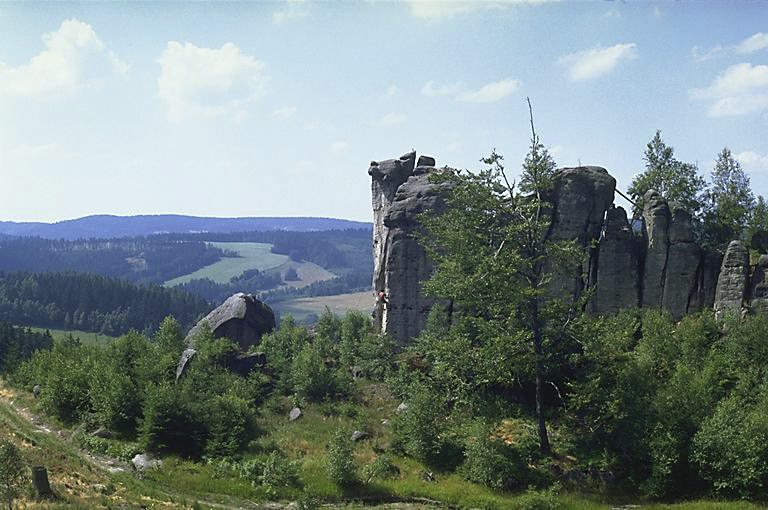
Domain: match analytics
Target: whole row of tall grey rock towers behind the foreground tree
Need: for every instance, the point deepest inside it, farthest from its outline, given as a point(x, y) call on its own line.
point(659, 265)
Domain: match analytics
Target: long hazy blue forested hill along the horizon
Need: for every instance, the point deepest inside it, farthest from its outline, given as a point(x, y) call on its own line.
point(107, 226)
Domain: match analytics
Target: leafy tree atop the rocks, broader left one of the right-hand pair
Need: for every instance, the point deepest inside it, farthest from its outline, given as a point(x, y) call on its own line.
point(672, 178)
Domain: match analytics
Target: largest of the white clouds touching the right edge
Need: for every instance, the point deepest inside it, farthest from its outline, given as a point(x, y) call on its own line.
point(739, 90)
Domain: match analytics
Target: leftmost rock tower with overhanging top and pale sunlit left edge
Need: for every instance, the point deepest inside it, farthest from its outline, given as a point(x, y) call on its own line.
point(400, 193)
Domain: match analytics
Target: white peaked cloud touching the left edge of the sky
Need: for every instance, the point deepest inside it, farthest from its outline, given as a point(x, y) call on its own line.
point(73, 57)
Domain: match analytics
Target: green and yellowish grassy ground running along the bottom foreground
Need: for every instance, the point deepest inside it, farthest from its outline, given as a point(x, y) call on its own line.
point(180, 483)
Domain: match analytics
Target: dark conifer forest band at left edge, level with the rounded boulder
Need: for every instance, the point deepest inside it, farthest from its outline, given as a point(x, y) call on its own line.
point(91, 302)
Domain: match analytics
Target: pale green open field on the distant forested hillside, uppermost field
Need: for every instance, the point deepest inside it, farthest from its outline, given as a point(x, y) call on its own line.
point(252, 256)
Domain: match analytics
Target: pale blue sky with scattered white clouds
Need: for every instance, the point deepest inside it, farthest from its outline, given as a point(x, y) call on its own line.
point(277, 108)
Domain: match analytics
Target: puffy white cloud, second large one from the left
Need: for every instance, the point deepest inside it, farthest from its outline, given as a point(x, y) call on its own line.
point(208, 81)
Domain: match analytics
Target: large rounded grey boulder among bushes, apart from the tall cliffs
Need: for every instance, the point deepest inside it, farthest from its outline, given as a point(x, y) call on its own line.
point(242, 318)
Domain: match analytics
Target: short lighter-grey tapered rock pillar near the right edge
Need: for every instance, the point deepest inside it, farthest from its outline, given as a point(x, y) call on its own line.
point(732, 284)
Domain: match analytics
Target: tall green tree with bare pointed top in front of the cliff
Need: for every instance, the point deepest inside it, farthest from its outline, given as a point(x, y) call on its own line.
point(493, 259)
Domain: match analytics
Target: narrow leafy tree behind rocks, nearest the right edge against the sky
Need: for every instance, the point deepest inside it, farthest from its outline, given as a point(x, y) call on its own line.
point(727, 203)
